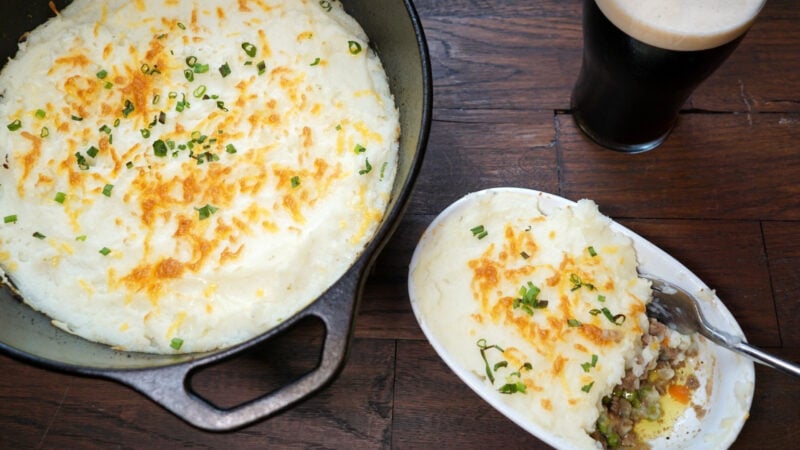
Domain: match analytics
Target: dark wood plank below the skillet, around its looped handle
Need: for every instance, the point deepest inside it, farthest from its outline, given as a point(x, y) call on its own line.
point(64, 411)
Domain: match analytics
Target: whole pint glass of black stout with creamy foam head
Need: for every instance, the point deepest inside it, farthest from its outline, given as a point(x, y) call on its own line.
point(643, 58)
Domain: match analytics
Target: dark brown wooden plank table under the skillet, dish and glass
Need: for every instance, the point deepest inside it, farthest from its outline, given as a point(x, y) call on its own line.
point(722, 195)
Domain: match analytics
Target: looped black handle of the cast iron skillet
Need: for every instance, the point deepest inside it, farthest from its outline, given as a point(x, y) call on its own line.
point(169, 386)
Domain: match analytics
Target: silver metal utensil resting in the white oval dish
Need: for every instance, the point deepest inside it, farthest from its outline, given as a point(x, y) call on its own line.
point(676, 308)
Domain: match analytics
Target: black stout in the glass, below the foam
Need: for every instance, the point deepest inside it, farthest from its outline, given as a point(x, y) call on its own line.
point(629, 92)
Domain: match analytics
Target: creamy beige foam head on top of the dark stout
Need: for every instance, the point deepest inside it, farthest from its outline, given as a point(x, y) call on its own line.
point(682, 25)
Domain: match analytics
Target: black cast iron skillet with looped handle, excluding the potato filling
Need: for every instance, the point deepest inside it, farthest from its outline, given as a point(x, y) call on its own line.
point(396, 34)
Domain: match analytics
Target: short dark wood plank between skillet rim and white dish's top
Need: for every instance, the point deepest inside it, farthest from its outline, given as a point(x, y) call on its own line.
point(474, 150)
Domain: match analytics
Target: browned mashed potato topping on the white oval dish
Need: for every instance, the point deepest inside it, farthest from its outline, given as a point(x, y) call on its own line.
point(547, 310)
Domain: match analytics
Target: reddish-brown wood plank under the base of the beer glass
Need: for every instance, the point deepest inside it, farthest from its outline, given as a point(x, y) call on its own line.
point(713, 166)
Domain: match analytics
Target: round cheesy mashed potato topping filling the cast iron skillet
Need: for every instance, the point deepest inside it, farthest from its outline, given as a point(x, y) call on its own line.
point(182, 175)
